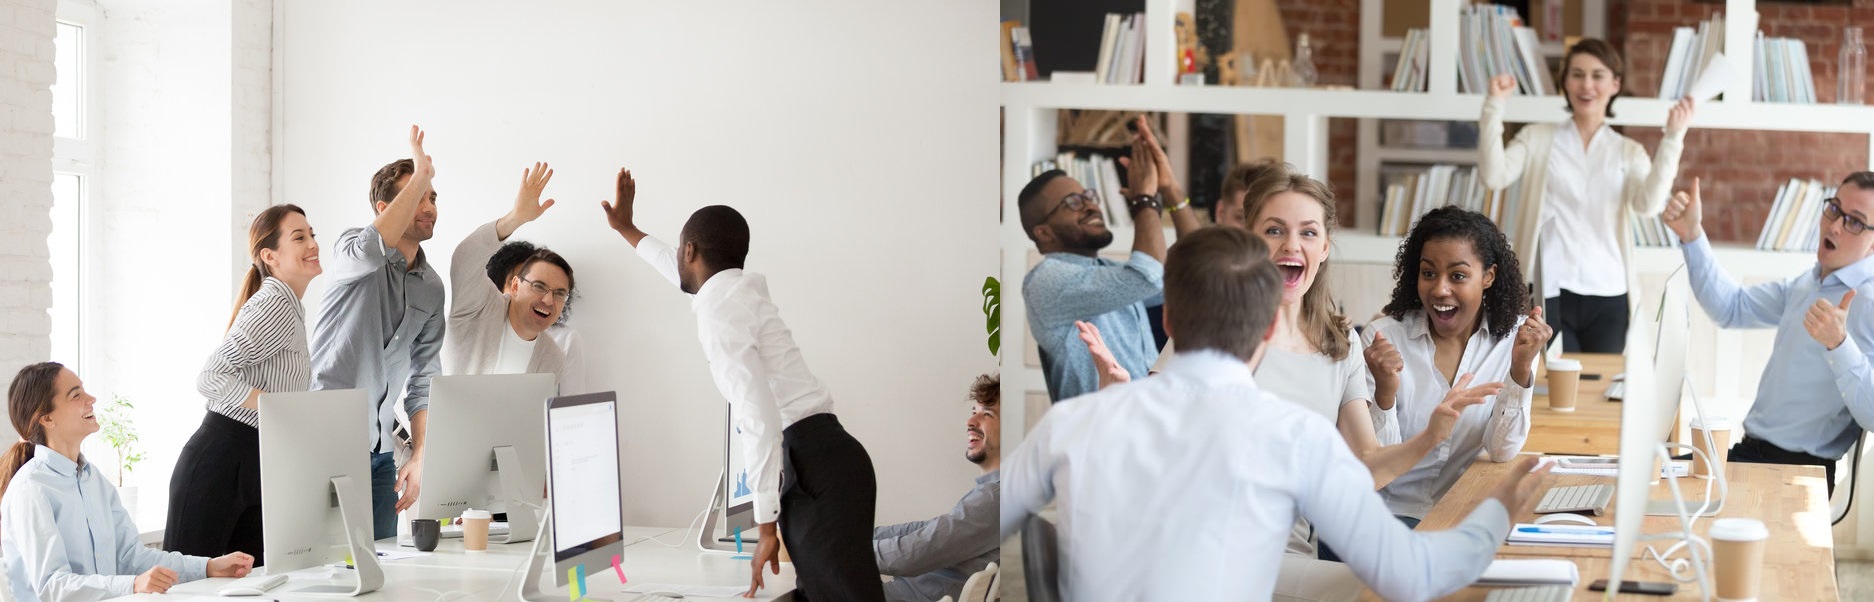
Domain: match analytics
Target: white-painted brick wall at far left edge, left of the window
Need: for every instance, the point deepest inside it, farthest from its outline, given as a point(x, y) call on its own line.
point(25, 183)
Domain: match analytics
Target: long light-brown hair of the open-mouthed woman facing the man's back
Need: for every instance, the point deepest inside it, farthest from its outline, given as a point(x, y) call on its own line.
point(1320, 318)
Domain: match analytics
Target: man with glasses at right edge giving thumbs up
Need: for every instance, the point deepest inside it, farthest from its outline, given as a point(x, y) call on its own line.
point(1819, 387)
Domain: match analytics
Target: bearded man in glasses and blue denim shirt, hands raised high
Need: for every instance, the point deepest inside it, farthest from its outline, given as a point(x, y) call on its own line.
point(1075, 284)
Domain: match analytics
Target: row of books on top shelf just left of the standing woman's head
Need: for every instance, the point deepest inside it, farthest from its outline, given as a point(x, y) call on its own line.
point(1493, 40)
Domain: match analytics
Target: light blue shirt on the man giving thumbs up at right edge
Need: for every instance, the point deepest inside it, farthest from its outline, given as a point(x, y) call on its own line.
point(1811, 399)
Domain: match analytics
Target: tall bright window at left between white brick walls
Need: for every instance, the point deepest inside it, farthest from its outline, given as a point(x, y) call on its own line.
point(74, 173)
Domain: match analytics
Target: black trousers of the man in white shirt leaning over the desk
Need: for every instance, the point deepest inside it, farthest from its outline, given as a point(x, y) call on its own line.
point(829, 500)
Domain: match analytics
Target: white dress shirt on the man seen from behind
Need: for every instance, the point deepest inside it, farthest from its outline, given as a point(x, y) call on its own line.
point(1183, 487)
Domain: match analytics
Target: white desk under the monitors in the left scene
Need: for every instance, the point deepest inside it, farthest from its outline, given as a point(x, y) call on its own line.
point(484, 577)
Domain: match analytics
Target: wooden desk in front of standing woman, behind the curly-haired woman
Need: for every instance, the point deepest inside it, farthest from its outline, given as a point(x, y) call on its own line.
point(1596, 423)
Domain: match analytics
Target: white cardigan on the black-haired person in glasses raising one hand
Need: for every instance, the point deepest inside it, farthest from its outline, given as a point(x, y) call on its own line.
point(479, 316)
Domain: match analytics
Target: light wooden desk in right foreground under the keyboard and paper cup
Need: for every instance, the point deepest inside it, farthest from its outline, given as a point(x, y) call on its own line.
point(1792, 502)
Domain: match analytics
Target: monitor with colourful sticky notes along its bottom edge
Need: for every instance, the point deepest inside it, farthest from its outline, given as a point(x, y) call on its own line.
point(586, 507)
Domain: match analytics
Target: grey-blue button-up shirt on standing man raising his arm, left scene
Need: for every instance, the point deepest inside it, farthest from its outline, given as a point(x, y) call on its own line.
point(379, 329)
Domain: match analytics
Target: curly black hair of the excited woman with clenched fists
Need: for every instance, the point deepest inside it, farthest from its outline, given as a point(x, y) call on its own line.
point(1508, 297)
